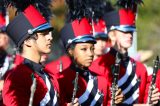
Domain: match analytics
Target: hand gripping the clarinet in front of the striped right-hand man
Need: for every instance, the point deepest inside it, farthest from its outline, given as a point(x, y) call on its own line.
point(119, 96)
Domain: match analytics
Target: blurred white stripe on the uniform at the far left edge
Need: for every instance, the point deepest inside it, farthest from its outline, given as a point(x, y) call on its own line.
point(5, 67)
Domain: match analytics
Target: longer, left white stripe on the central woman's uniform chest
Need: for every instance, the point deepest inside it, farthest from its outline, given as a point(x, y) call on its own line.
point(85, 96)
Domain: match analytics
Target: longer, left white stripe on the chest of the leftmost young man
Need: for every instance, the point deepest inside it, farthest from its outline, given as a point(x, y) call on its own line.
point(47, 97)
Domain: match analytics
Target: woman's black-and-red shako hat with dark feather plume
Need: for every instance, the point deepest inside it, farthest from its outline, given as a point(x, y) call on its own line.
point(78, 28)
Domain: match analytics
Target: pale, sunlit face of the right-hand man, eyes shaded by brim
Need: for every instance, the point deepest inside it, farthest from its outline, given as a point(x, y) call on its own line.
point(124, 39)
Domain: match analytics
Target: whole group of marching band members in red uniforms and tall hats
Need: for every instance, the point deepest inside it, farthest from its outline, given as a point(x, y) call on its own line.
point(91, 51)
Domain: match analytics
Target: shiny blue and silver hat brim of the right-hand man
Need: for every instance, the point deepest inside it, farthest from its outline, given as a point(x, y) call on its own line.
point(124, 28)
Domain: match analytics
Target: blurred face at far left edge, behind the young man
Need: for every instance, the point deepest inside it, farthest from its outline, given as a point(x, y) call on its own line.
point(4, 41)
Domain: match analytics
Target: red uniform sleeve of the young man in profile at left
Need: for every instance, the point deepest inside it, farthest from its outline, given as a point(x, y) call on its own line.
point(16, 90)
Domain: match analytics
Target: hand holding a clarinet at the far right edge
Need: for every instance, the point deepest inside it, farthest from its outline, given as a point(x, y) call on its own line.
point(155, 96)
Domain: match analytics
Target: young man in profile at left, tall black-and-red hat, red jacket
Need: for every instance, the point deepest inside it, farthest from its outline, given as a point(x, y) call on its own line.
point(30, 32)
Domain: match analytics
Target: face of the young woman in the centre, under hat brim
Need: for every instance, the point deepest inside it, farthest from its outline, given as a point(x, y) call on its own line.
point(83, 54)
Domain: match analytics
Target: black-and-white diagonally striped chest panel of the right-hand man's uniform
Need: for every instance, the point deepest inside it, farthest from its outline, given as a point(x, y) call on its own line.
point(129, 84)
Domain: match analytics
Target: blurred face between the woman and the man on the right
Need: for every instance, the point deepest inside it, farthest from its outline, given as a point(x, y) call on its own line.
point(100, 47)
